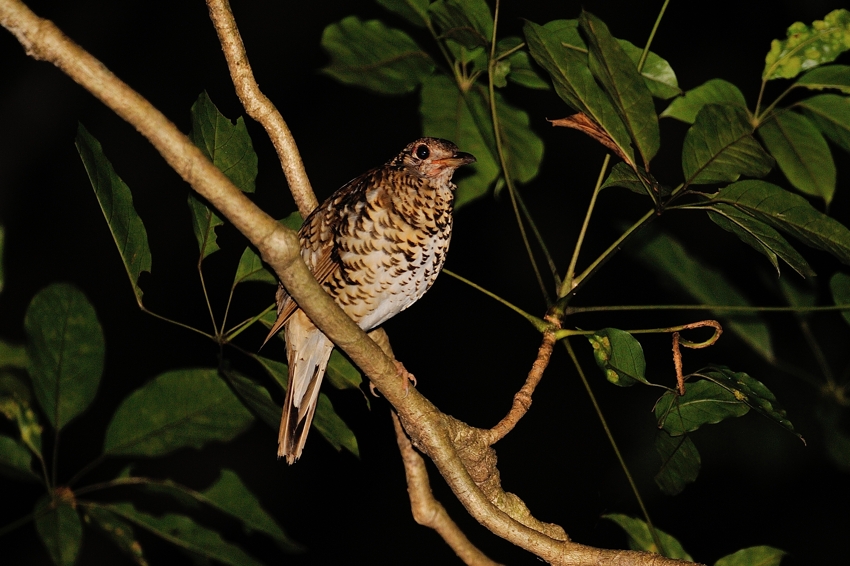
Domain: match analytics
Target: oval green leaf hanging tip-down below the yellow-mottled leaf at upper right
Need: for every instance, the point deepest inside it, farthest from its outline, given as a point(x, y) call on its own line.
point(801, 153)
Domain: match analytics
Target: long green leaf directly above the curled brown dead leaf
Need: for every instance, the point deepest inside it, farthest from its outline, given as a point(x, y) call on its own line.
point(574, 82)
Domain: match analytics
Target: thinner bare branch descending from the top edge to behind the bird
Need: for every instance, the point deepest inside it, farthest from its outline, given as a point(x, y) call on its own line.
point(259, 107)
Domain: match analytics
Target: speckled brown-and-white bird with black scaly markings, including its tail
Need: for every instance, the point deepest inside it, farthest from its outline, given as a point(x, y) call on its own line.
point(375, 245)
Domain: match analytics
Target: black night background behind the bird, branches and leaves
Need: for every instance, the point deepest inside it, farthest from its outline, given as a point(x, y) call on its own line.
point(758, 485)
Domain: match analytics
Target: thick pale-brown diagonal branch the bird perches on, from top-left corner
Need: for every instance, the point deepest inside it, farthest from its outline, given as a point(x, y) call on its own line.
point(459, 451)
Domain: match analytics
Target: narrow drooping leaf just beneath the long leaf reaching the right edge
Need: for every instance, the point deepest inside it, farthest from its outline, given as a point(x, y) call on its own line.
point(762, 237)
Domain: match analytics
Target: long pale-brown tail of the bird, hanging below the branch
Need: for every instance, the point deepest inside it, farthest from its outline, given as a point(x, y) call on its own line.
point(308, 351)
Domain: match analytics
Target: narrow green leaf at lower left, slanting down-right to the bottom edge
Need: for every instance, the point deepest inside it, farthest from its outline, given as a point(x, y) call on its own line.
point(184, 532)
